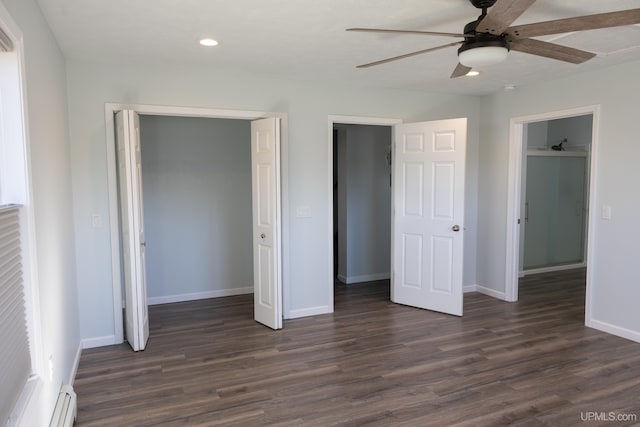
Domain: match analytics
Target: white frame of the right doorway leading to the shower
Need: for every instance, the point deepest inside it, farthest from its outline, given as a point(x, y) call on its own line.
point(516, 142)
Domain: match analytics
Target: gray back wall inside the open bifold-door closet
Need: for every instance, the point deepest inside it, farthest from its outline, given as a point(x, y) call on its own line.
point(196, 181)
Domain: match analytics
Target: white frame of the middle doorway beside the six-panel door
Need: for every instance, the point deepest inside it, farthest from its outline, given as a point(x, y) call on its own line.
point(347, 120)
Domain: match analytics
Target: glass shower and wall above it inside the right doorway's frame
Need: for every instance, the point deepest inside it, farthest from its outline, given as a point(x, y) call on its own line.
point(555, 189)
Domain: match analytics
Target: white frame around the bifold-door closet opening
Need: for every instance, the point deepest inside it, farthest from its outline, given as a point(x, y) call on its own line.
point(159, 110)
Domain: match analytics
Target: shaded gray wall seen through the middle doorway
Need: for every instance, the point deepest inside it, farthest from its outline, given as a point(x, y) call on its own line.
point(366, 227)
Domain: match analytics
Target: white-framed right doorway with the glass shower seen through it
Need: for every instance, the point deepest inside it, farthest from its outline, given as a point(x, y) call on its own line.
point(551, 172)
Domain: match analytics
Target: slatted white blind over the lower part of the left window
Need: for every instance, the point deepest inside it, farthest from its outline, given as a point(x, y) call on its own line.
point(15, 359)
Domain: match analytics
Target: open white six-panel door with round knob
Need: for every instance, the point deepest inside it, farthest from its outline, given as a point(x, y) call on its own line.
point(428, 207)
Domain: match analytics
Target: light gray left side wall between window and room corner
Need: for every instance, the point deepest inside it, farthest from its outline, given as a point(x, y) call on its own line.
point(52, 203)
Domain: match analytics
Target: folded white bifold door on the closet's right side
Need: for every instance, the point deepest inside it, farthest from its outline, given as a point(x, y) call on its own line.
point(267, 270)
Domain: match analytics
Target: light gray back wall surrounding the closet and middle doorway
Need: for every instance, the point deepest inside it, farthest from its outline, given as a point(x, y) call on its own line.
point(308, 105)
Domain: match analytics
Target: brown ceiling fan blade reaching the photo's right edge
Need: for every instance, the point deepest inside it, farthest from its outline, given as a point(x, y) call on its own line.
point(580, 23)
